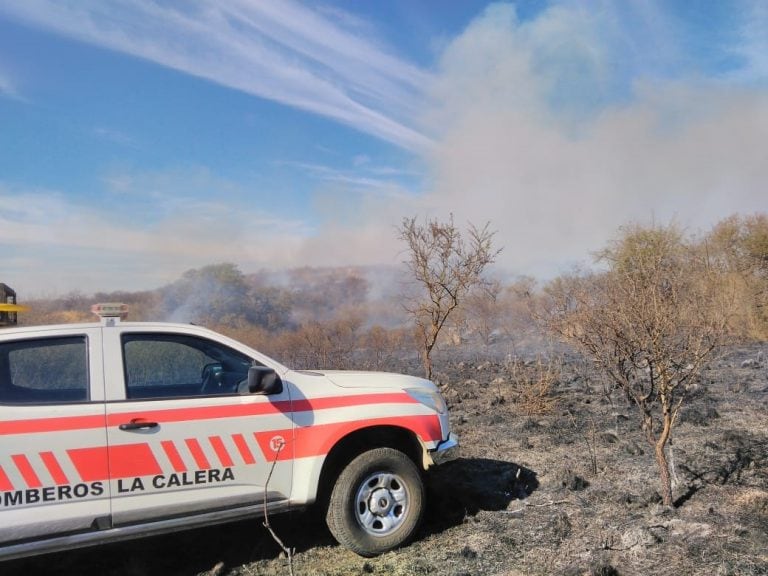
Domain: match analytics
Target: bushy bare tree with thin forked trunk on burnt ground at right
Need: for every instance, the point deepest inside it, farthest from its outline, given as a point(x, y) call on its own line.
point(650, 321)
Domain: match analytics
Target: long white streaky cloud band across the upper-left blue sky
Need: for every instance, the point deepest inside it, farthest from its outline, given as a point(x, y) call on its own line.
point(281, 50)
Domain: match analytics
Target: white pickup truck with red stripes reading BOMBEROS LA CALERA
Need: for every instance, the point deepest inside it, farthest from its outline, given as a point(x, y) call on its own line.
point(116, 430)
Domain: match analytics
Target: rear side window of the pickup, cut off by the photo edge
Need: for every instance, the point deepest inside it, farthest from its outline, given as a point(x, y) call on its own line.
point(44, 370)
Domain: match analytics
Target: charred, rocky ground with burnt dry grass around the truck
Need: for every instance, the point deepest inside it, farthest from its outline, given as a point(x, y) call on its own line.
point(571, 492)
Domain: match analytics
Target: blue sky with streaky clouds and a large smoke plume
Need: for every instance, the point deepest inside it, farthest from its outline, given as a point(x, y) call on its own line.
point(139, 138)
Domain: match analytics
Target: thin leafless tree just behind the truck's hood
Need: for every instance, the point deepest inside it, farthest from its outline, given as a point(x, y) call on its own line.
point(445, 267)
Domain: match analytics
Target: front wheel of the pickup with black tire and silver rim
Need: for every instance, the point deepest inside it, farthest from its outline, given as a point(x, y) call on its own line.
point(377, 502)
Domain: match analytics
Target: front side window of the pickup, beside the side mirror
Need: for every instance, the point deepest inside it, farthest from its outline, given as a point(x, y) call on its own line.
point(177, 365)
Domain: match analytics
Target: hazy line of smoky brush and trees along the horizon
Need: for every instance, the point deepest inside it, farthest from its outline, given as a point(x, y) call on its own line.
point(444, 296)
